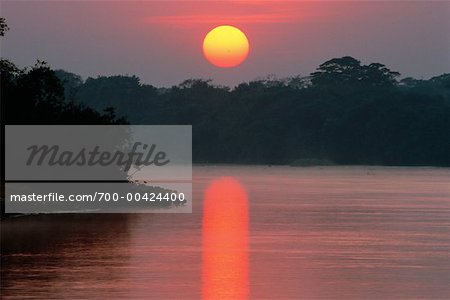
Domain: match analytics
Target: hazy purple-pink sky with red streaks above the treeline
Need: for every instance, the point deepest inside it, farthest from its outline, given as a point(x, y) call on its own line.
point(161, 42)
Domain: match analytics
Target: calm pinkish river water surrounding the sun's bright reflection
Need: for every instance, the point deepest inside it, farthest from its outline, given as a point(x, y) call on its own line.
point(314, 233)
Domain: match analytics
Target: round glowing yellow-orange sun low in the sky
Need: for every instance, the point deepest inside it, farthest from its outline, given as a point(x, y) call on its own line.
point(225, 46)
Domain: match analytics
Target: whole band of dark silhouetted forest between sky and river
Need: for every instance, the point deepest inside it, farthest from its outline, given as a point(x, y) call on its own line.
point(343, 113)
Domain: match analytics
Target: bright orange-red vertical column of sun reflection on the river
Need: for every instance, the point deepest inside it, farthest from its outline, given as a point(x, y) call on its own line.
point(225, 241)
